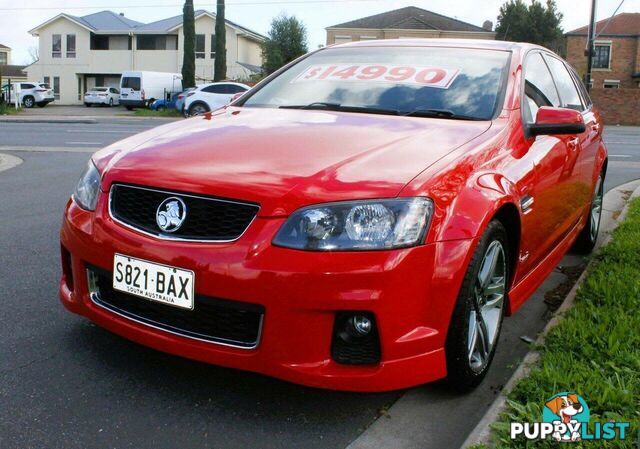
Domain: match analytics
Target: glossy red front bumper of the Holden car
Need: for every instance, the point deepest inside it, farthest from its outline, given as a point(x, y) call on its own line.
point(411, 292)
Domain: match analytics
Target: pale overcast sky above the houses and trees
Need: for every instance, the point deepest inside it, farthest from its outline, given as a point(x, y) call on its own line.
point(17, 18)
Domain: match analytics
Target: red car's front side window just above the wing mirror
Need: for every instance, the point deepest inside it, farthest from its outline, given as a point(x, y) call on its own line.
point(539, 88)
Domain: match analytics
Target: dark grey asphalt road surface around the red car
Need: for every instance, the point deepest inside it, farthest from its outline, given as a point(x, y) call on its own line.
point(67, 383)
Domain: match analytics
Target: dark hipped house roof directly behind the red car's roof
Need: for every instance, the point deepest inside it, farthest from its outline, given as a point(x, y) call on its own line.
point(410, 18)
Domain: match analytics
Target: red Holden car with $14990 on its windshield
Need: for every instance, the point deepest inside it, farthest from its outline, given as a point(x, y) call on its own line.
point(362, 221)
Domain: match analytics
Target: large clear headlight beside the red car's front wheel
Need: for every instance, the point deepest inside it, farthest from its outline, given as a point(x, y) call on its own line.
point(357, 225)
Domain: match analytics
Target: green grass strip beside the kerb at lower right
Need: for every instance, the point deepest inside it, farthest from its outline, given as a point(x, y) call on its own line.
point(594, 351)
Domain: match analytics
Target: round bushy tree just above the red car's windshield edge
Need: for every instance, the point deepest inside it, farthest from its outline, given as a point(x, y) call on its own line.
point(286, 40)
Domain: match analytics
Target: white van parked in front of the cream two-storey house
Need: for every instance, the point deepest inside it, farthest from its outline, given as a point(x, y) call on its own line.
point(139, 89)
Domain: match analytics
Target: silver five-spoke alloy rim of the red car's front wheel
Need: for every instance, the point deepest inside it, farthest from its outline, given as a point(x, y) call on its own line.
point(488, 302)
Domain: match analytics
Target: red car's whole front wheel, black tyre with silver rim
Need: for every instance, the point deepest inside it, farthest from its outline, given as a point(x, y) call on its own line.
point(477, 317)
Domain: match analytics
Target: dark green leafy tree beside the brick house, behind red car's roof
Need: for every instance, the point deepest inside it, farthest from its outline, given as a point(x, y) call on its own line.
point(536, 23)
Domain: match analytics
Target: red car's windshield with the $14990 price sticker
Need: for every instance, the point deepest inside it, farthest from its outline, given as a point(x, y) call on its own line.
point(447, 82)
